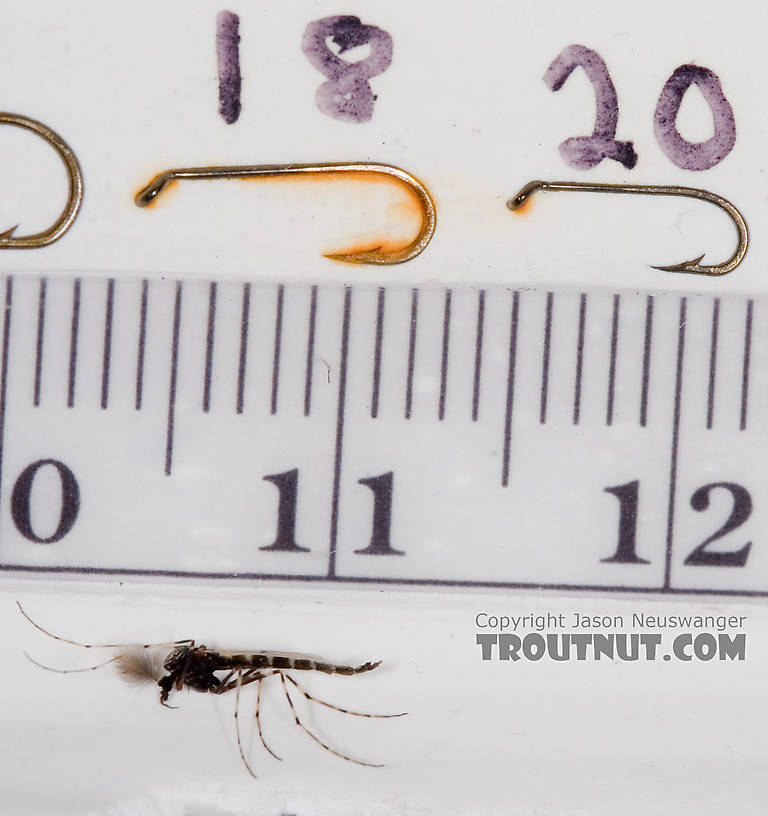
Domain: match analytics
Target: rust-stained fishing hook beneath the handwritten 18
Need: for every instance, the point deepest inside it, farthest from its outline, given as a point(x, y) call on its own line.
point(375, 255)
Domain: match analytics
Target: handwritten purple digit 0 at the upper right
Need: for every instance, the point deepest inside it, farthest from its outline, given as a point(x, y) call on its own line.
point(694, 155)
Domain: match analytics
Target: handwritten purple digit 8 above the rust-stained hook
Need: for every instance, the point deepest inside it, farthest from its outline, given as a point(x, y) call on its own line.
point(347, 95)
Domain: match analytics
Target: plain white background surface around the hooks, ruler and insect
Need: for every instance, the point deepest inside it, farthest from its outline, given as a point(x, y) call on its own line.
point(134, 91)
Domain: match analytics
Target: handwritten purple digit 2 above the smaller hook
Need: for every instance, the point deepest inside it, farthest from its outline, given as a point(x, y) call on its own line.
point(586, 152)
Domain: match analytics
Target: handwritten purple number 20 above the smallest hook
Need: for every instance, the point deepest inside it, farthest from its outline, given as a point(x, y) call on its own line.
point(586, 152)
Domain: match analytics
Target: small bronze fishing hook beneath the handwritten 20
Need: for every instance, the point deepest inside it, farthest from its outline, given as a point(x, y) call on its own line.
point(693, 265)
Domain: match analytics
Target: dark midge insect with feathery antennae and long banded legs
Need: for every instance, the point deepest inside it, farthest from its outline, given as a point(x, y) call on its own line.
point(218, 671)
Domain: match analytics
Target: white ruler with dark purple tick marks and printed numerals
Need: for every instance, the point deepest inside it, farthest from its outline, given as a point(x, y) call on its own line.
point(460, 437)
